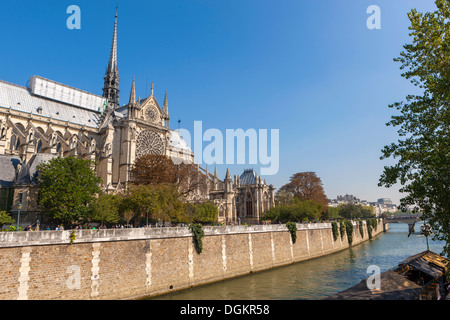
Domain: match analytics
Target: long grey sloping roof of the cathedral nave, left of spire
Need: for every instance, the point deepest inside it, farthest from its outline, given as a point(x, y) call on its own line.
point(22, 99)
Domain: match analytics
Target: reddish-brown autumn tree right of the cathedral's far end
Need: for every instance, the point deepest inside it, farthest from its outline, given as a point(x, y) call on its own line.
point(306, 186)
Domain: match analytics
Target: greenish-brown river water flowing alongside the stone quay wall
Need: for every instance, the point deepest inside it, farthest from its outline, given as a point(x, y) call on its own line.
point(319, 277)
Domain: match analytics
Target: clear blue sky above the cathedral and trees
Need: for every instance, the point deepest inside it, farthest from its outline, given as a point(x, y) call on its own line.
point(310, 69)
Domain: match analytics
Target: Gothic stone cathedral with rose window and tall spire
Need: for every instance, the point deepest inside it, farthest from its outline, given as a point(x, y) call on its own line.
point(48, 119)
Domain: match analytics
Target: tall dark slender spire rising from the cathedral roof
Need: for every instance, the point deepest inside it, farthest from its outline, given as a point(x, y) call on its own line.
point(111, 84)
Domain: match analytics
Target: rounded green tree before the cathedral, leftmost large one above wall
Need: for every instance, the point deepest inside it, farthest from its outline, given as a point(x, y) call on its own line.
point(67, 187)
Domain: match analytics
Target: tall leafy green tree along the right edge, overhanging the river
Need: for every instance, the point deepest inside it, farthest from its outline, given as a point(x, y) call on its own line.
point(423, 152)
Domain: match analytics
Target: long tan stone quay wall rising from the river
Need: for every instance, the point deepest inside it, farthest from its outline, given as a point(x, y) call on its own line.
point(137, 263)
